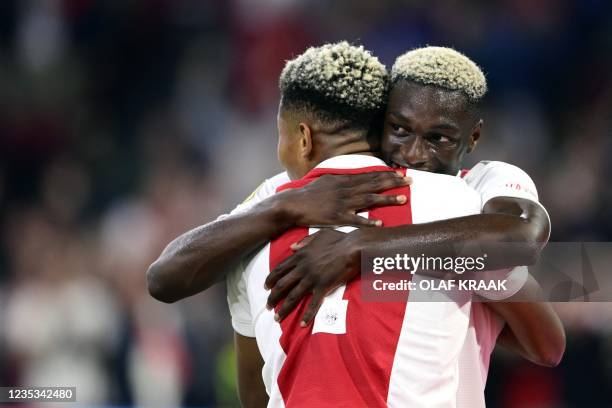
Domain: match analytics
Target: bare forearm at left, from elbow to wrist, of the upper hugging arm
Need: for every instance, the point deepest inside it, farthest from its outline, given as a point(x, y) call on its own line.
point(203, 256)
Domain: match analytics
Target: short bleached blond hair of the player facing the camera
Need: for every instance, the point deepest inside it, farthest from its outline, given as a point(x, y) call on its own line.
point(442, 67)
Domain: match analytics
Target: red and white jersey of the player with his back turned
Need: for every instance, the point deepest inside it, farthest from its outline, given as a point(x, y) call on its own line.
point(360, 353)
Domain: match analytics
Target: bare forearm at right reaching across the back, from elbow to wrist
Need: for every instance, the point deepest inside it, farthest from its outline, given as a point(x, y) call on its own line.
point(507, 240)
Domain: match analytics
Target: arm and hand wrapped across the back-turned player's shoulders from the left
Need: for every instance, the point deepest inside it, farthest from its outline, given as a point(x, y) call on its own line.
point(203, 256)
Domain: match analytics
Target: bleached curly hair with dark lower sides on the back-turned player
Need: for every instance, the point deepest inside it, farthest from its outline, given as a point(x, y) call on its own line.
point(340, 81)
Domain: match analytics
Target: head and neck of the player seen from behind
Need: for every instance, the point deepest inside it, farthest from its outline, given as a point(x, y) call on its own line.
point(332, 97)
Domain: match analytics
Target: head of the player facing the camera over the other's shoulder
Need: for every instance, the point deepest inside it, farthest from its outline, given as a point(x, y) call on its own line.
point(432, 117)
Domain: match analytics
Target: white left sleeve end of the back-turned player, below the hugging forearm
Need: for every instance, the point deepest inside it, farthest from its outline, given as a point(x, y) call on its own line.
point(238, 302)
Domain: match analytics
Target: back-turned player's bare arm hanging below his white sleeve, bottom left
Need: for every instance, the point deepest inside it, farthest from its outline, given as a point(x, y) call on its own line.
point(251, 389)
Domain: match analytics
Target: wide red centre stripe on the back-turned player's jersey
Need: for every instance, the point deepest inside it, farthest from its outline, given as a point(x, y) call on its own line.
point(351, 369)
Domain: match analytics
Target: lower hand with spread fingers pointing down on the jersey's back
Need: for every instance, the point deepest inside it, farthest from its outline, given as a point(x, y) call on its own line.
point(322, 262)
